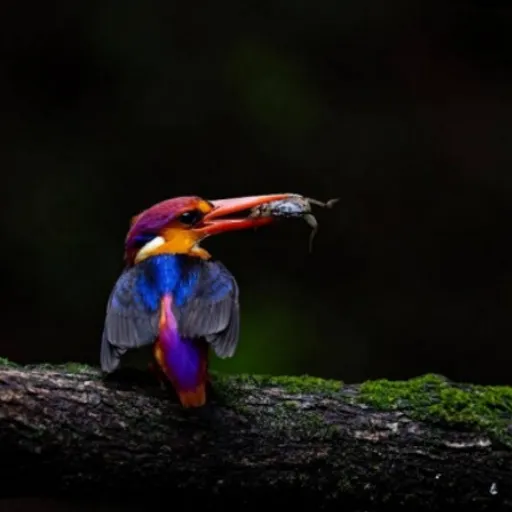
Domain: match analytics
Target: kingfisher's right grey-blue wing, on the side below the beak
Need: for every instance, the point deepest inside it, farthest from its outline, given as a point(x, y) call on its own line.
point(212, 312)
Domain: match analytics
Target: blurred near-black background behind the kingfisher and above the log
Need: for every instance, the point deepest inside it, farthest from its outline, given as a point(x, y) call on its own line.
point(401, 109)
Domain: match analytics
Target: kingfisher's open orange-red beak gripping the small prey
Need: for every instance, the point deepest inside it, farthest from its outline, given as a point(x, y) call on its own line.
point(215, 222)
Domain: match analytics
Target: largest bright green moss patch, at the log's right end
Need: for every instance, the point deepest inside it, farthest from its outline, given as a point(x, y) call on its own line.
point(430, 397)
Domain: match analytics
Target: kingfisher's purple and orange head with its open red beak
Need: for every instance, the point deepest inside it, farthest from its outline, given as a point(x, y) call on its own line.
point(177, 226)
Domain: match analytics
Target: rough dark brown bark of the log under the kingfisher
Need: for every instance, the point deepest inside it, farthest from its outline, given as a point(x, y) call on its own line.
point(261, 441)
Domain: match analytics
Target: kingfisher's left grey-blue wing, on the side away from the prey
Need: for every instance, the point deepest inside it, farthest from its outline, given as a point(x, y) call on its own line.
point(129, 323)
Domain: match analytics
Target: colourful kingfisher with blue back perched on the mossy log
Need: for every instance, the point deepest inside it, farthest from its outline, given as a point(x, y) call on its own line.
point(172, 296)
